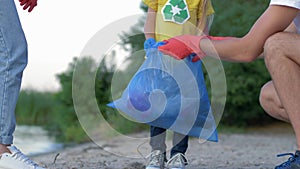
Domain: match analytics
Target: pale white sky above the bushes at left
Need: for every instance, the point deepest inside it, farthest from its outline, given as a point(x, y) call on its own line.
point(57, 31)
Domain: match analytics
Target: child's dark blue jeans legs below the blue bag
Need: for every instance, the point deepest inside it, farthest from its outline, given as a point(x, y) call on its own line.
point(158, 138)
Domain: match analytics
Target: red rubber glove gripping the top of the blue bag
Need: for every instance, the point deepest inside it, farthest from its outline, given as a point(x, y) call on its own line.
point(183, 46)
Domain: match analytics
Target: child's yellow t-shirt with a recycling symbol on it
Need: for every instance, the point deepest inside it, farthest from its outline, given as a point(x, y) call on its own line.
point(166, 29)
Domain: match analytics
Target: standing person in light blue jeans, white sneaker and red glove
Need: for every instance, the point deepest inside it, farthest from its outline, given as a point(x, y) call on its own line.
point(13, 60)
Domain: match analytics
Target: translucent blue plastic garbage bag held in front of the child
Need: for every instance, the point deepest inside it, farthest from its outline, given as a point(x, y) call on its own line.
point(170, 94)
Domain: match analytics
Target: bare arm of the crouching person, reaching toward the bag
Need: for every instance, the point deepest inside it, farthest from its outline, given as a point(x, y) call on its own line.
point(275, 19)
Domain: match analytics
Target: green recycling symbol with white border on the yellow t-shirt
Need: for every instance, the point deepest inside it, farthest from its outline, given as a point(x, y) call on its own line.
point(176, 11)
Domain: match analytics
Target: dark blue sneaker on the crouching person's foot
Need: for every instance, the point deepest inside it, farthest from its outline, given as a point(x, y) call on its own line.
point(292, 163)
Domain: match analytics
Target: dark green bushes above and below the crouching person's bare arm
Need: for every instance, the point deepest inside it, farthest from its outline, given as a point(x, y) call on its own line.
point(244, 80)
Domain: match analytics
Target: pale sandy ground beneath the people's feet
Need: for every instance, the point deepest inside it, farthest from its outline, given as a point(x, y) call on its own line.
point(253, 149)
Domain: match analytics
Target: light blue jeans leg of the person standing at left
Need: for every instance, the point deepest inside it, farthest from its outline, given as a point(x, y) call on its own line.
point(13, 60)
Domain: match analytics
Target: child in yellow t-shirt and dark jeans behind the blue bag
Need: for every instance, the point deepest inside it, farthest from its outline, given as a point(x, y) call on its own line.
point(166, 19)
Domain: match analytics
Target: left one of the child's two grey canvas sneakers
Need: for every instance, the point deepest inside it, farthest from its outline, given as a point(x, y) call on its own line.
point(156, 160)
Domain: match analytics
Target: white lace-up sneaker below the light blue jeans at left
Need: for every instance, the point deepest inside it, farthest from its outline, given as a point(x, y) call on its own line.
point(16, 160)
